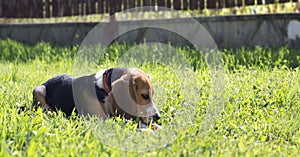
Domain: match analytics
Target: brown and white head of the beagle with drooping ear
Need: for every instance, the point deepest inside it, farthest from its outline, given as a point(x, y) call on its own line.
point(132, 96)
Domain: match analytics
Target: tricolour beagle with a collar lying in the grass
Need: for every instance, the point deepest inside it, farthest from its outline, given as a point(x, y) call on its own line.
point(126, 92)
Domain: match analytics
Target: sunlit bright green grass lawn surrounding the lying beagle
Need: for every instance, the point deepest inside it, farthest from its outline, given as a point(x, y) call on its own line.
point(260, 116)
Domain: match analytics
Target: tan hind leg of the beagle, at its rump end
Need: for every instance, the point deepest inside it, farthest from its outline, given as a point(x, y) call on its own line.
point(39, 98)
